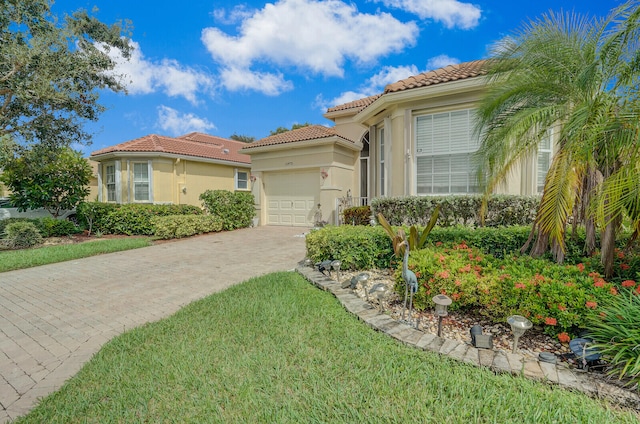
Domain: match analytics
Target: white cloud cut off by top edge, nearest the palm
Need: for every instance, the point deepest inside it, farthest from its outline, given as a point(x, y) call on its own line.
point(452, 13)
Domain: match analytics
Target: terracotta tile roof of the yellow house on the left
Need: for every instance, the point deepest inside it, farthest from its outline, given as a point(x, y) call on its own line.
point(194, 144)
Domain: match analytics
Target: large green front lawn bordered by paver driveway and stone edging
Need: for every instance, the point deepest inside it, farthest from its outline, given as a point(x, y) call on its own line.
point(275, 349)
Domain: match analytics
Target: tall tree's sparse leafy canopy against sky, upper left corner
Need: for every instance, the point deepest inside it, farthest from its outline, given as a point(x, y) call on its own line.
point(51, 71)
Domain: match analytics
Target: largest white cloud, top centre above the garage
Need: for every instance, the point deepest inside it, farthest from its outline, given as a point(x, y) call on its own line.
point(309, 35)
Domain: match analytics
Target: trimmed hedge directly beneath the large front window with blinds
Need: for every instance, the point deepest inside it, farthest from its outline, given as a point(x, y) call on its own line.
point(502, 210)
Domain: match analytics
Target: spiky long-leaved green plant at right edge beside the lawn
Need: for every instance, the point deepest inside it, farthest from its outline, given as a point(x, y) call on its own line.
point(615, 329)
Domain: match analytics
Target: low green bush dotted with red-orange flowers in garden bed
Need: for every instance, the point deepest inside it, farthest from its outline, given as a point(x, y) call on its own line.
point(556, 297)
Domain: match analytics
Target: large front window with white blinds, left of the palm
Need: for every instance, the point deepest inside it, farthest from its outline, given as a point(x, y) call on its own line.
point(445, 143)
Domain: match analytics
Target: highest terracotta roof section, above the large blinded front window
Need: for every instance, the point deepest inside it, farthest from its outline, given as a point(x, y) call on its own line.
point(438, 76)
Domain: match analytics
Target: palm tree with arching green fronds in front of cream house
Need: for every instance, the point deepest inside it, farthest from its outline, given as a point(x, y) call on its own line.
point(577, 77)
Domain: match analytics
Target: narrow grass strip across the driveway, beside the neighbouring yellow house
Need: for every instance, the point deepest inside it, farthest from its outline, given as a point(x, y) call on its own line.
point(19, 259)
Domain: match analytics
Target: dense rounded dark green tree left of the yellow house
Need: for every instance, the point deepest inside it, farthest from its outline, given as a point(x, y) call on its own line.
point(51, 178)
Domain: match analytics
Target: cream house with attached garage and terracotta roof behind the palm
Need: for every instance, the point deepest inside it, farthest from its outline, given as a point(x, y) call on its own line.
point(415, 138)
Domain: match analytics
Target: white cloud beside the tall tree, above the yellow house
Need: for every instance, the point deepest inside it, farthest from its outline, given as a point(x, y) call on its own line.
point(142, 76)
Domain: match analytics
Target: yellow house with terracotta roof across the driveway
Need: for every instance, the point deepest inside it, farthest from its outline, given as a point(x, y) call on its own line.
point(159, 169)
